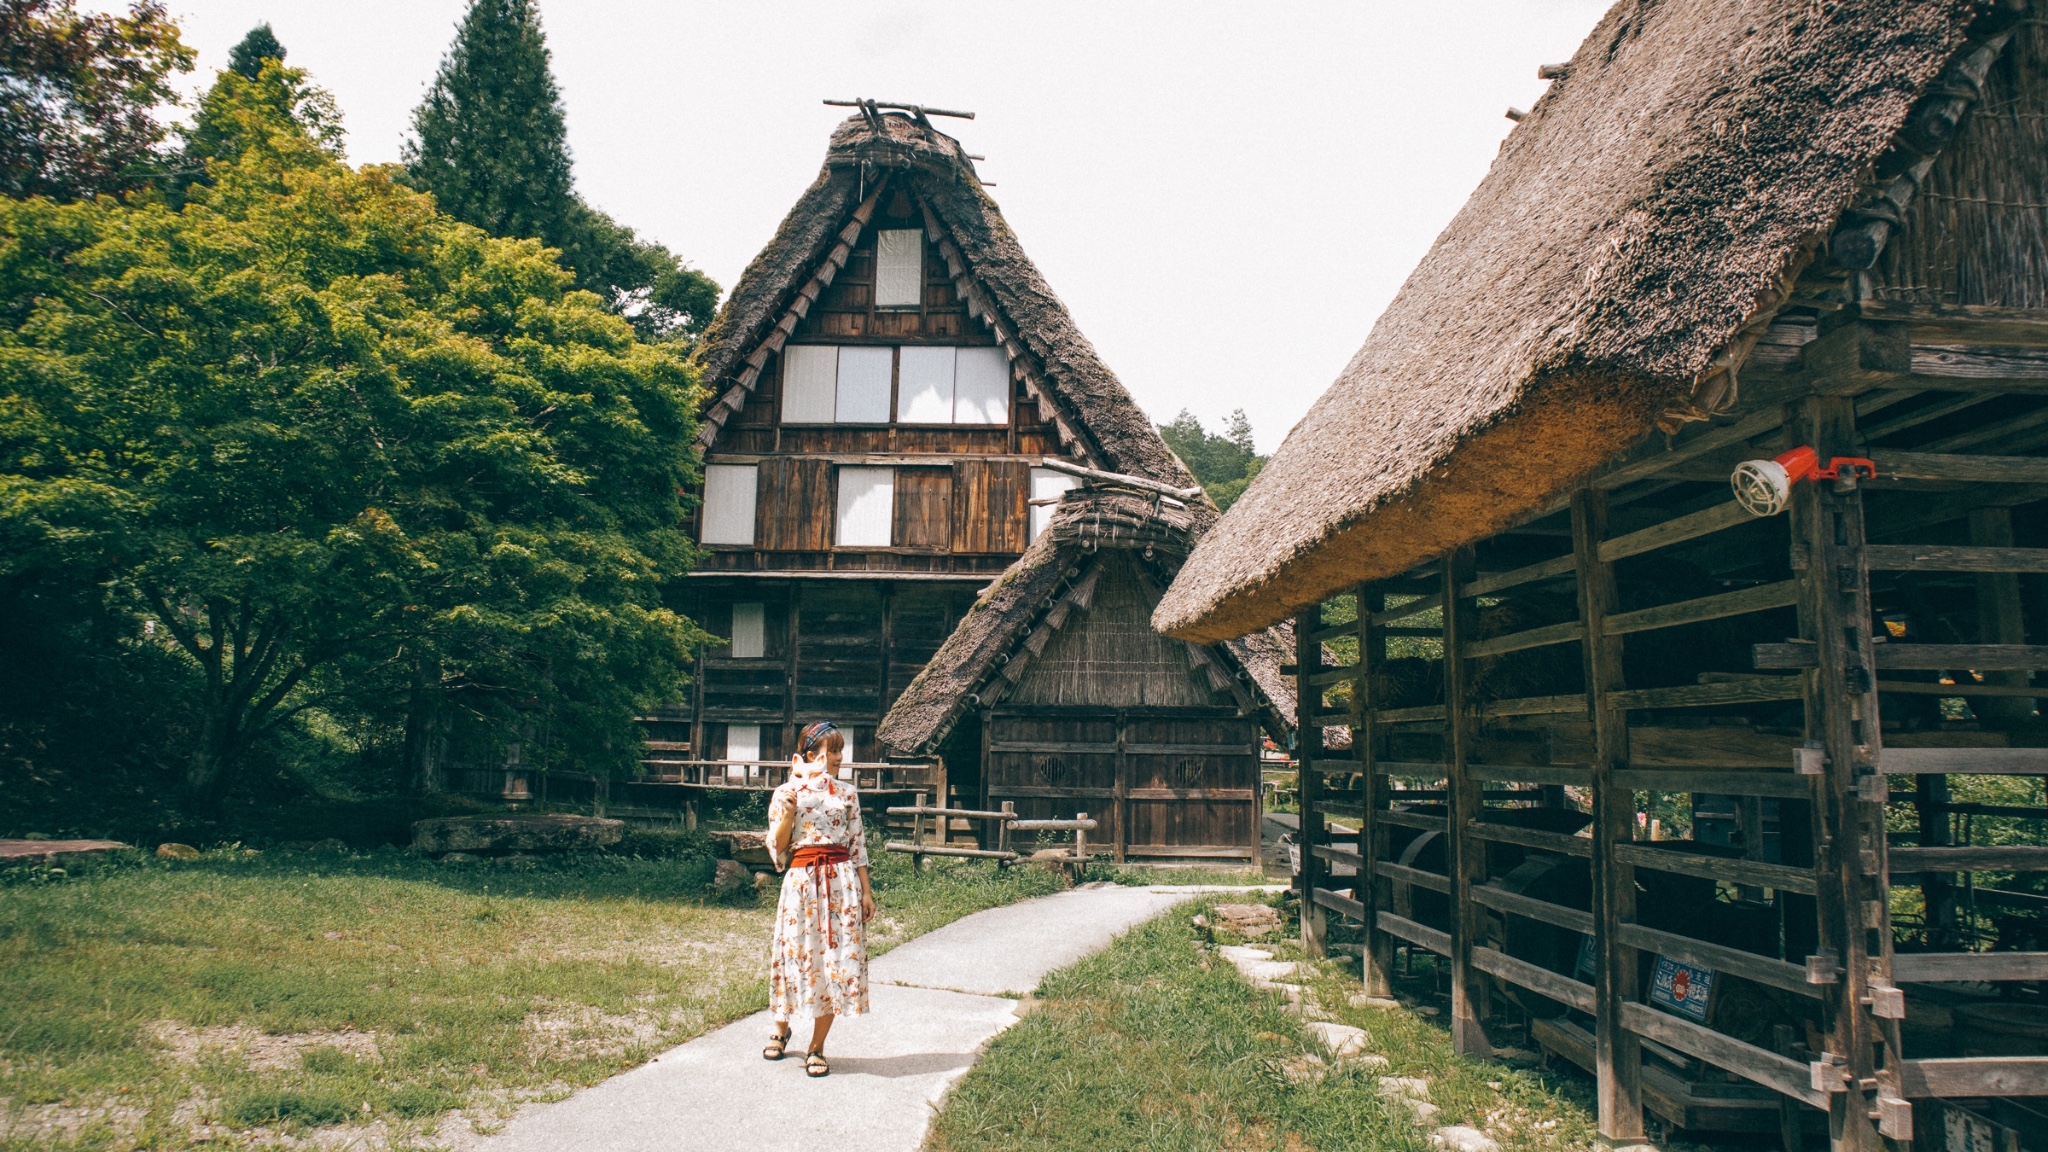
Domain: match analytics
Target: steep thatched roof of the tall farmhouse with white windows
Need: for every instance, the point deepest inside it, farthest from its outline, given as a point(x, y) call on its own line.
point(1005, 288)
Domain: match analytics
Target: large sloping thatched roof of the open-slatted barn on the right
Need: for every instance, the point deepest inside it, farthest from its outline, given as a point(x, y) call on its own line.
point(1598, 282)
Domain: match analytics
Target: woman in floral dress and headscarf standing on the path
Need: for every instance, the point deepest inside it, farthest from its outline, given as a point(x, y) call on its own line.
point(820, 960)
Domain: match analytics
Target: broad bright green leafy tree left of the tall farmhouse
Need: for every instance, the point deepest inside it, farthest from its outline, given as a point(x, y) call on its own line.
point(329, 442)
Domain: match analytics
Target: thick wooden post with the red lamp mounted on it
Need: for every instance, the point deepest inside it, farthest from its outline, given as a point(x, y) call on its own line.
point(1842, 716)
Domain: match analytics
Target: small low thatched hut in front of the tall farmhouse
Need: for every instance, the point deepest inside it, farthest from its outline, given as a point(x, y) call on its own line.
point(1058, 696)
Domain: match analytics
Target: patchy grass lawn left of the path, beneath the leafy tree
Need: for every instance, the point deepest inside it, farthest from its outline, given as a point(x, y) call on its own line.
point(374, 999)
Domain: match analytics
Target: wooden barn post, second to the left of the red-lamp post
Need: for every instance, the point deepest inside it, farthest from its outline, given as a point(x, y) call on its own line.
point(1463, 796)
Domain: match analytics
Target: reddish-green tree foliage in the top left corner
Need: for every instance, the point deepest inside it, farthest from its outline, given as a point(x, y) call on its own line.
point(77, 97)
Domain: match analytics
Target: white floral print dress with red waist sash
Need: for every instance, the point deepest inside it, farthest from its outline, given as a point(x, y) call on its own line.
point(820, 960)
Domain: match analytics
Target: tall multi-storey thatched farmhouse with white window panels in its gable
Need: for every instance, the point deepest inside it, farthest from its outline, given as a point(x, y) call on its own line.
point(886, 382)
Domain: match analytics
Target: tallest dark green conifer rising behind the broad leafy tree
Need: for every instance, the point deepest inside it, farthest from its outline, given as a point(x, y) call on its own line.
point(490, 142)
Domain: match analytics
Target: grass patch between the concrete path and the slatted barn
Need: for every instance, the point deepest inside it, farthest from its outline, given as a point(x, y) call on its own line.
point(1158, 1044)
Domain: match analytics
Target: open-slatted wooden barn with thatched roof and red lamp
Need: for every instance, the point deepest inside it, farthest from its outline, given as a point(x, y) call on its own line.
point(1736, 803)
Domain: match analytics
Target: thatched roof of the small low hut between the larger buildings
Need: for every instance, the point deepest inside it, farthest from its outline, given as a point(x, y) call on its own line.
point(1037, 595)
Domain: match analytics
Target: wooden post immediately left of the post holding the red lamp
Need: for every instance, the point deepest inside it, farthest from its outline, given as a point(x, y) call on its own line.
point(1617, 1053)
